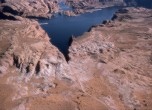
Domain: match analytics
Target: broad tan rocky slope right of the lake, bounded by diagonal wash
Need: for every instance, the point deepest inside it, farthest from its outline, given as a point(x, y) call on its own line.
point(112, 62)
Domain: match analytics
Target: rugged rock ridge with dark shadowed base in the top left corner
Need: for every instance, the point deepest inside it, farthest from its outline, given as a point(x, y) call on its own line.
point(30, 8)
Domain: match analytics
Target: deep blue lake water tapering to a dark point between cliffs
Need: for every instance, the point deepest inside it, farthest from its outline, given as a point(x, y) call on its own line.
point(61, 28)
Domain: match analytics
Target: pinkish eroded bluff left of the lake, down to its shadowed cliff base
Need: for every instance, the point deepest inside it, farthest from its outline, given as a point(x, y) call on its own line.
point(26, 46)
